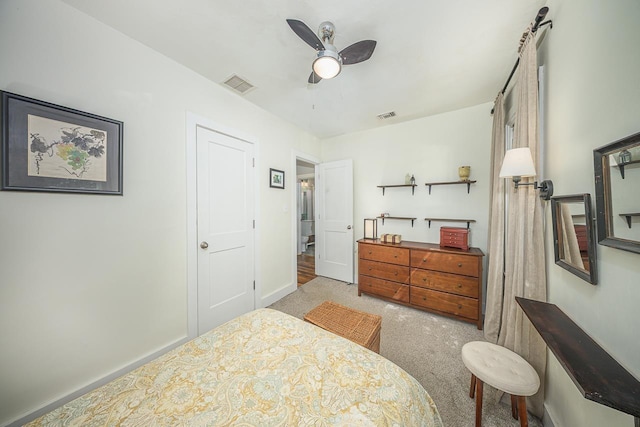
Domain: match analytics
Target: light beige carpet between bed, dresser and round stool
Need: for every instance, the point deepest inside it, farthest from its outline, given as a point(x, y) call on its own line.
point(425, 345)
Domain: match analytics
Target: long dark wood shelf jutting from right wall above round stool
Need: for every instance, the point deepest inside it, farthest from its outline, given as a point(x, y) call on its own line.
point(596, 374)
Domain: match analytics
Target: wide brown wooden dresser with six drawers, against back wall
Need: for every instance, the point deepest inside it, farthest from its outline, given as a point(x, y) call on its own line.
point(446, 281)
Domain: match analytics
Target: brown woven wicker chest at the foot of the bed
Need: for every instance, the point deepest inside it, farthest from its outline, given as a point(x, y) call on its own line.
point(355, 325)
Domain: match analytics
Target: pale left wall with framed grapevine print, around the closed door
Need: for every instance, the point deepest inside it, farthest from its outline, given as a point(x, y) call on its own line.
point(89, 283)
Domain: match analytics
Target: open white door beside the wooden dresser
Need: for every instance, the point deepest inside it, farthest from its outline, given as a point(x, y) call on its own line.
point(334, 220)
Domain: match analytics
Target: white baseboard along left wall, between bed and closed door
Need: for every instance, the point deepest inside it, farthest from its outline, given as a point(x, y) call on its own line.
point(23, 419)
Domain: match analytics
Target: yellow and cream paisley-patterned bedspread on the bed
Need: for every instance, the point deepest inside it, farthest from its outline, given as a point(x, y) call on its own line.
point(264, 368)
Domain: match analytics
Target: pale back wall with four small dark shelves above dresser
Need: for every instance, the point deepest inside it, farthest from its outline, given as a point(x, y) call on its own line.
point(431, 149)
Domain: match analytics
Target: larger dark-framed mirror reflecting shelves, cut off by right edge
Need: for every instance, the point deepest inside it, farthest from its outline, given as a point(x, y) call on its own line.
point(617, 177)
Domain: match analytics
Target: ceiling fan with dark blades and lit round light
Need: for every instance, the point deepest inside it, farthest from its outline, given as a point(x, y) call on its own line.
point(329, 61)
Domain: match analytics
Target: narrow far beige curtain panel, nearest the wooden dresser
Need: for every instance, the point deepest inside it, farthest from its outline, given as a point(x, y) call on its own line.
point(495, 244)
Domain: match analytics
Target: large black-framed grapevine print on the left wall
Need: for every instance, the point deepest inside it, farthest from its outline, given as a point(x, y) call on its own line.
point(48, 147)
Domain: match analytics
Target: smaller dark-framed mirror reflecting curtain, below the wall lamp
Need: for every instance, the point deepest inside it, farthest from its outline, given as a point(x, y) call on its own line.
point(573, 235)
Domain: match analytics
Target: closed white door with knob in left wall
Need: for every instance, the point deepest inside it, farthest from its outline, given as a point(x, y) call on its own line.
point(225, 177)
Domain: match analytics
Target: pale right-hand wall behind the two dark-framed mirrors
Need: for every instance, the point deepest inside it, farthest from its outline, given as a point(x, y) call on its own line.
point(593, 98)
